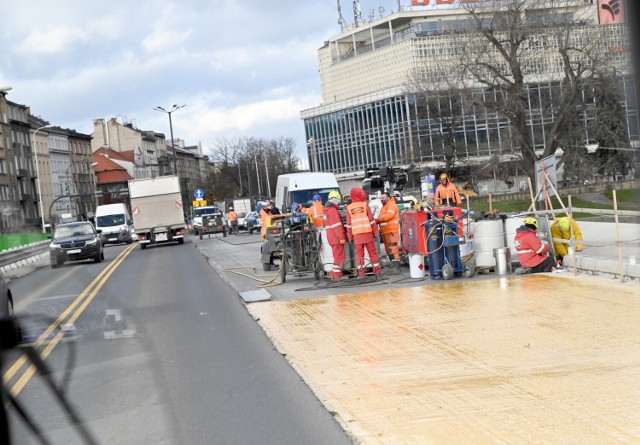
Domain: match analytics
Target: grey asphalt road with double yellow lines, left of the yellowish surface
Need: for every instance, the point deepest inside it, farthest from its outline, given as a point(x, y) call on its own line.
point(188, 365)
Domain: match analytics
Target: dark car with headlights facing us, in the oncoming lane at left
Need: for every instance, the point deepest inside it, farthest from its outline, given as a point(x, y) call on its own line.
point(75, 241)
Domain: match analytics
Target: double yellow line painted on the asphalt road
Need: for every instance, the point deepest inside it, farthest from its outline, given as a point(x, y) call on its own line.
point(96, 285)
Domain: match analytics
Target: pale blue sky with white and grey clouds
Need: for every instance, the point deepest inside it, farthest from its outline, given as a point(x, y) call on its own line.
point(242, 67)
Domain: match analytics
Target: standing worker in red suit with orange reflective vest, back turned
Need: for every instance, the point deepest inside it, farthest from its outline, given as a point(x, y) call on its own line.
point(362, 230)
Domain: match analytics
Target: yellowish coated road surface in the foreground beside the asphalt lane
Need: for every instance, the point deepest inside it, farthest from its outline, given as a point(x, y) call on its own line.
point(535, 359)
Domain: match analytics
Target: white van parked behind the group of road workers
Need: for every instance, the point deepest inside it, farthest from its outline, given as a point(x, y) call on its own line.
point(300, 188)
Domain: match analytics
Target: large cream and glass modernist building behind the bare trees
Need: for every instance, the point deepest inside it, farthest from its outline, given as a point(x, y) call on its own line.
point(373, 115)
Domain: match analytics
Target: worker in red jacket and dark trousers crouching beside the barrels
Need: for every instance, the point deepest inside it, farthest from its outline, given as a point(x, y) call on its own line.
point(533, 255)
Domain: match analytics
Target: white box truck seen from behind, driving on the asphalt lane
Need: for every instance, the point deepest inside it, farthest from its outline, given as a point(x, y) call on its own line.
point(156, 206)
